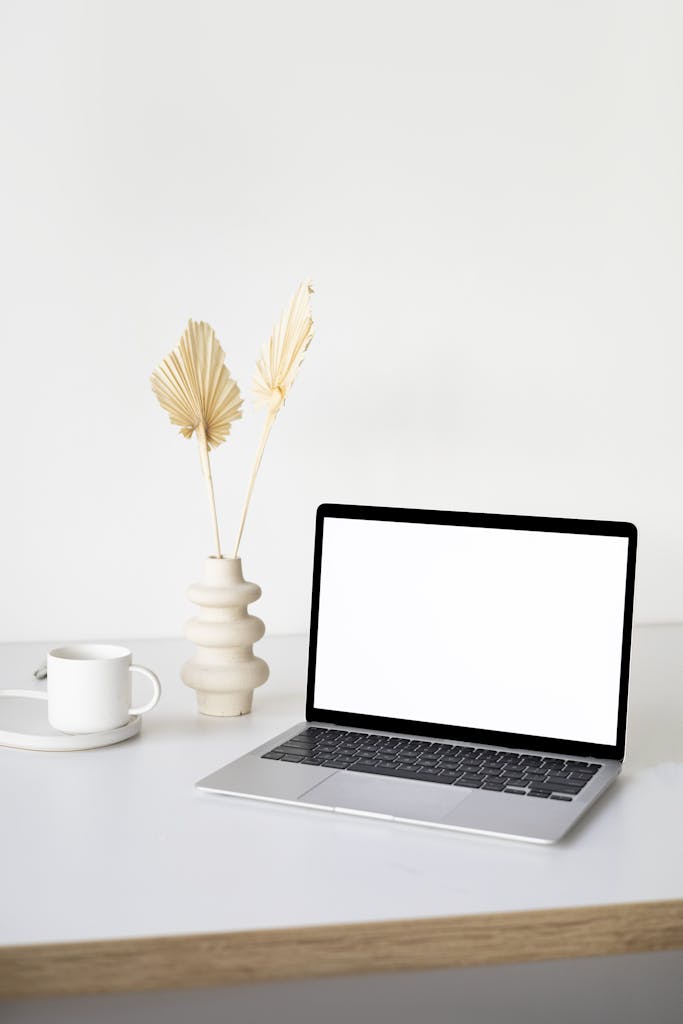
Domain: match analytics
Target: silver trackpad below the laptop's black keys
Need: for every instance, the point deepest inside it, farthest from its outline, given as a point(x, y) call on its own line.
point(379, 795)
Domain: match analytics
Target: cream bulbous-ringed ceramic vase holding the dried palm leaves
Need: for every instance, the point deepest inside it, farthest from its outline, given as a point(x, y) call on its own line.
point(225, 670)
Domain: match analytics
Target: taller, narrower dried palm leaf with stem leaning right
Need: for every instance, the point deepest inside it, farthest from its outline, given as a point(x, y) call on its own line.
point(276, 372)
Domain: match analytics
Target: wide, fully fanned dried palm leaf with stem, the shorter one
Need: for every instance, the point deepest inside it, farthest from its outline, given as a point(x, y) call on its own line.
point(195, 388)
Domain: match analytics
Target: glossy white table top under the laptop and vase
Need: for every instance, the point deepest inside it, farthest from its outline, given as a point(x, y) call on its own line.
point(117, 843)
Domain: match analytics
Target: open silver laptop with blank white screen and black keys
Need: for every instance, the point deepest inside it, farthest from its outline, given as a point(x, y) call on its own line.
point(466, 672)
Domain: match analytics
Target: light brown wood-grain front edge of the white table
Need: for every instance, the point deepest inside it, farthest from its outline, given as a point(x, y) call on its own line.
point(225, 959)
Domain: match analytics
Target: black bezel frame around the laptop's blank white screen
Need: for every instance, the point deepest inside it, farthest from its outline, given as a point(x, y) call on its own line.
point(537, 524)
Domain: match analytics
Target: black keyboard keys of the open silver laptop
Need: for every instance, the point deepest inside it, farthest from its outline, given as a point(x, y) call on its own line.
point(475, 767)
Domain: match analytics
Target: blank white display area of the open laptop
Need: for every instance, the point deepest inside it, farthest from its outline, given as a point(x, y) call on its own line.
point(507, 630)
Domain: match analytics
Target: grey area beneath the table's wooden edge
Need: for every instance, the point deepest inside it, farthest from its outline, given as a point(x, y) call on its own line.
point(645, 988)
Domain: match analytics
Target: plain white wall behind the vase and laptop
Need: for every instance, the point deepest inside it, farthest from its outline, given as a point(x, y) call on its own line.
point(488, 197)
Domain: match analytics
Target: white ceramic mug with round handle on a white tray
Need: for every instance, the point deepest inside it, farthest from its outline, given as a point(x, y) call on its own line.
point(90, 688)
